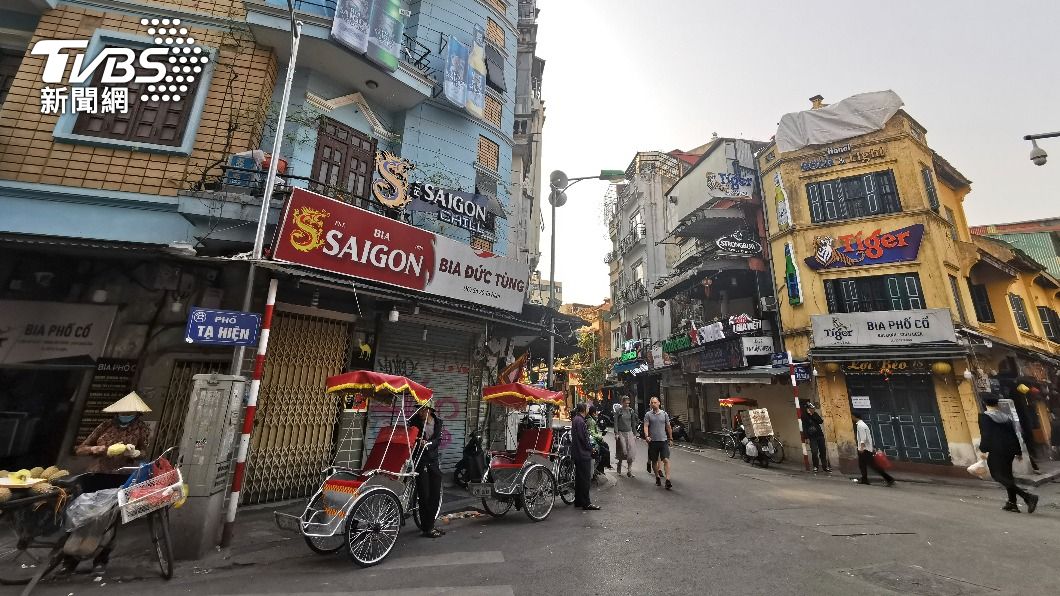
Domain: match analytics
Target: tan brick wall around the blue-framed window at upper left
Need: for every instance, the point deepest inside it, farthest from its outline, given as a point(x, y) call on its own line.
point(239, 95)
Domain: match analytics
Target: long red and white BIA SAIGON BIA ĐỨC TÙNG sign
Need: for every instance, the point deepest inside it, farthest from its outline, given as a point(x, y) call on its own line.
point(330, 236)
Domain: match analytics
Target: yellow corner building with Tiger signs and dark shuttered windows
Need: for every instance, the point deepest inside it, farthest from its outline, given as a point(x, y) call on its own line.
point(885, 284)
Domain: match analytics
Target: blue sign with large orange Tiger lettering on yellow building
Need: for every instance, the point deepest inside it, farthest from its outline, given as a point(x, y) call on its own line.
point(860, 250)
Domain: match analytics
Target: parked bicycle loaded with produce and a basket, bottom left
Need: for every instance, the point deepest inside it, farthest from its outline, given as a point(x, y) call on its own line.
point(33, 540)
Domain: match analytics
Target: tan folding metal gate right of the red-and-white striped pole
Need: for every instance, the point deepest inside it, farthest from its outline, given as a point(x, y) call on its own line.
point(293, 435)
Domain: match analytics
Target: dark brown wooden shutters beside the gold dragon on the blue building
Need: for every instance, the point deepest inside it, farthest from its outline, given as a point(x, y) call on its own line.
point(344, 161)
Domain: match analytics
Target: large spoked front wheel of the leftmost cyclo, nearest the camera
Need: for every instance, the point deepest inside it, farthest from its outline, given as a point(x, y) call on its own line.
point(373, 528)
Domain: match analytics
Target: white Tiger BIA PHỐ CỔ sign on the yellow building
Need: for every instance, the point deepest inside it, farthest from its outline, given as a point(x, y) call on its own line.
point(884, 328)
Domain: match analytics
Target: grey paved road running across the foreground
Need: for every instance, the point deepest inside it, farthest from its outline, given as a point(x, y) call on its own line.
point(727, 529)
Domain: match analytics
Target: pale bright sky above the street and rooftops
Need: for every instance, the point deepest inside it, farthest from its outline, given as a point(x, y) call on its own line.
point(629, 76)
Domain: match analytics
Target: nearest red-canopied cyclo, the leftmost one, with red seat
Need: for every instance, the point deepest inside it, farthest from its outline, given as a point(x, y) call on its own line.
point(364, 510)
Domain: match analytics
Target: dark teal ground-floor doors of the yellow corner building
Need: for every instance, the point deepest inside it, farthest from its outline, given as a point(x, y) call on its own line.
point(904, 416)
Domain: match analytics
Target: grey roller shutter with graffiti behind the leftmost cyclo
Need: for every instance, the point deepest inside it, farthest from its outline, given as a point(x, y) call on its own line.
point(440, 360)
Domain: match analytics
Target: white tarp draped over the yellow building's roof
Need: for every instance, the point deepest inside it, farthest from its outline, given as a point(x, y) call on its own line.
point(857, 115)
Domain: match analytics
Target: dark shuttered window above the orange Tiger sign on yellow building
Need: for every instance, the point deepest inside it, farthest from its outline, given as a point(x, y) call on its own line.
point(855, 197)
